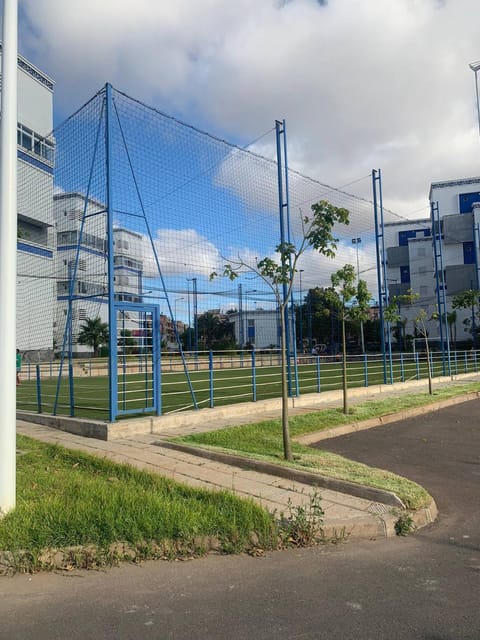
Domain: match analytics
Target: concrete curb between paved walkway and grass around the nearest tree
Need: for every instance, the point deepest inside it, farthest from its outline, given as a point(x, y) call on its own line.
point(342, 486)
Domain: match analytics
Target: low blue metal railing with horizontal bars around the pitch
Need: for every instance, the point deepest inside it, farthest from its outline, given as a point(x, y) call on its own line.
point(217, 379)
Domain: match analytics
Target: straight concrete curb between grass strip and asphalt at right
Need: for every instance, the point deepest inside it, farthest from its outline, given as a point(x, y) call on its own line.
point(353, 427)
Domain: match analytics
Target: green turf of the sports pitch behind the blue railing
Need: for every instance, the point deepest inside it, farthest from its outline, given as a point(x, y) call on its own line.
point(229, 386)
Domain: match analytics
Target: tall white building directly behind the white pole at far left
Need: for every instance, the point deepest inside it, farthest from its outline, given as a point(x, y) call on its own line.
point(36, 237)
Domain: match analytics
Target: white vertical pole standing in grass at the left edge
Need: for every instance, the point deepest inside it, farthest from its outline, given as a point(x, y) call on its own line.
point(8, 256)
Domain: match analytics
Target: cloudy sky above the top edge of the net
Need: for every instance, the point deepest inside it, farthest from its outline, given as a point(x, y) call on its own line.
point(362, 84)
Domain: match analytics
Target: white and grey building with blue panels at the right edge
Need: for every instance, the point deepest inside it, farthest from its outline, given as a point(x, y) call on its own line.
point(413, 259)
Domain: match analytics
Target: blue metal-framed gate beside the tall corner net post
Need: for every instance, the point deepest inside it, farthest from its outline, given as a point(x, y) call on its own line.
point(136, 379)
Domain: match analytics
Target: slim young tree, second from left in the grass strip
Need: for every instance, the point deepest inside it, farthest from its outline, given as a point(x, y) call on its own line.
point(350, 300)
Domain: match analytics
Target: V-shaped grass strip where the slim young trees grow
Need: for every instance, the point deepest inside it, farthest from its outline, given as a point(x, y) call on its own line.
point(264, 440)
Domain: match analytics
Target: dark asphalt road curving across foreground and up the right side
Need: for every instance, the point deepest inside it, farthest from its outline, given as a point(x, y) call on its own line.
point(423, 587)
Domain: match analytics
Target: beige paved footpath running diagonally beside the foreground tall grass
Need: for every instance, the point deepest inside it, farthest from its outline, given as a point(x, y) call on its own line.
point(345, 515)
